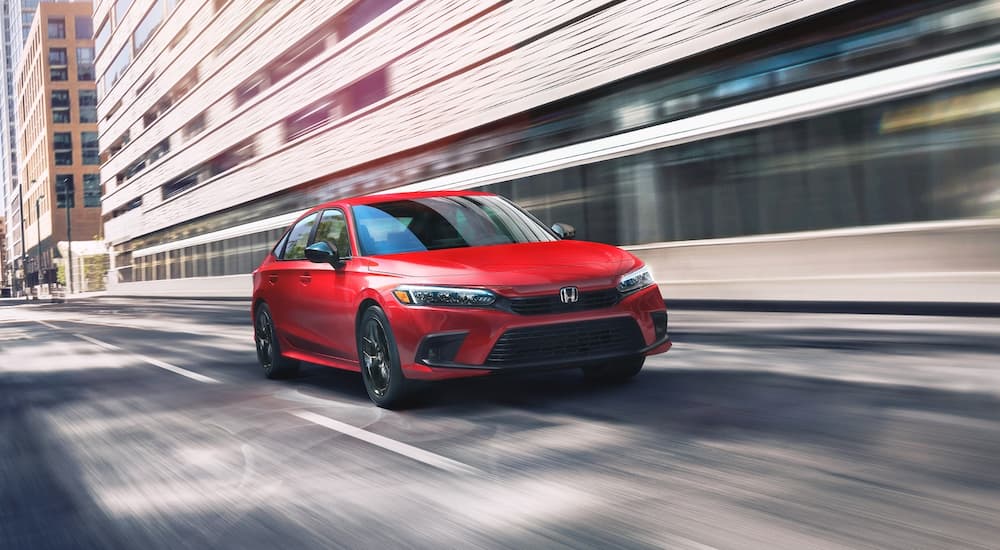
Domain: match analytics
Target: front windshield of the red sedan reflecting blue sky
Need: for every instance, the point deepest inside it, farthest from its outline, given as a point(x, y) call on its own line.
point(436, 223)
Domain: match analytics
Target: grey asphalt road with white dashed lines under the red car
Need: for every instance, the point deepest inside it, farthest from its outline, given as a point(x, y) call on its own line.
point(133, 424)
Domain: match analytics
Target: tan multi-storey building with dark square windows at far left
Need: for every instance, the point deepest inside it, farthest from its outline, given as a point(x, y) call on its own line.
point(57, 134)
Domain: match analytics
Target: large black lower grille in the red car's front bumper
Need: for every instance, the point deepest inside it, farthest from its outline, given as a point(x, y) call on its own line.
point(567, 341)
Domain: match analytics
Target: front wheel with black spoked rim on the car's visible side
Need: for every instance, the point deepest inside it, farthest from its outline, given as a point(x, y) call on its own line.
point(379, 361)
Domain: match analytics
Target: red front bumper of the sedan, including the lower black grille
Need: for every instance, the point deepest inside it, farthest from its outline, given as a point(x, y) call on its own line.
point(471, 340)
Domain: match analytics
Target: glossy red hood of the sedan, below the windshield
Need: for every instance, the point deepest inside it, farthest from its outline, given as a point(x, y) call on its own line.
point(513, 268)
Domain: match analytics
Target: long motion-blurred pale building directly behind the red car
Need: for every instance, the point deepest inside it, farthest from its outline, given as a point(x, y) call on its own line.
point(750, 150)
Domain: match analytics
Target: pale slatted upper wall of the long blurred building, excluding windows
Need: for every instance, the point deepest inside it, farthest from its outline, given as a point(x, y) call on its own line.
point(450, 66)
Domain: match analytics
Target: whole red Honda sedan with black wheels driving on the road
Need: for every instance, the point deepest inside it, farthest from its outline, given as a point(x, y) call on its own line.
point(428, 286)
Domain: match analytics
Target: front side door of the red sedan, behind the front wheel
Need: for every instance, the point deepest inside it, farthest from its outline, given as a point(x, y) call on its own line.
point(328, 314)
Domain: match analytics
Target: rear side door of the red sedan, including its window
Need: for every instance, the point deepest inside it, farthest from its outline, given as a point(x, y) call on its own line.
point(288, 281)
